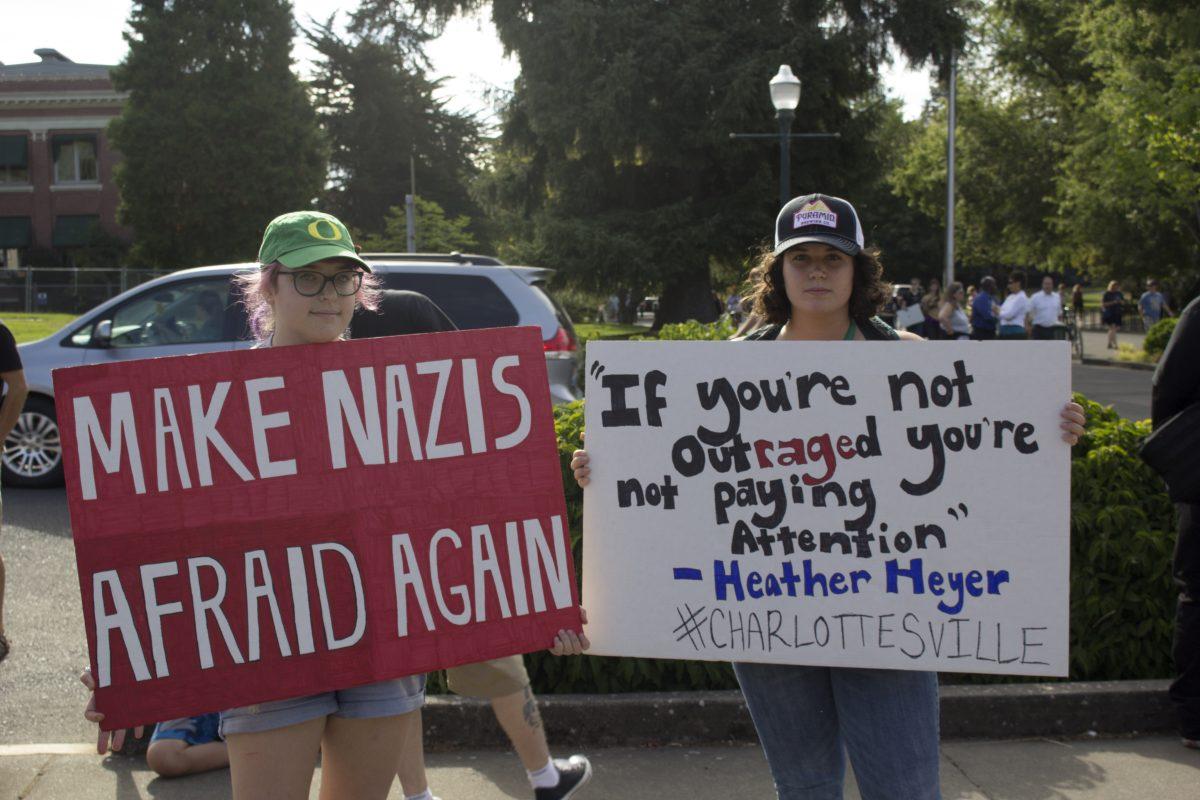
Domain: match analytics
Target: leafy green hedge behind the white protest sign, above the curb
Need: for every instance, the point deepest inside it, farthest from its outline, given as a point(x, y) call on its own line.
point(1123, 600)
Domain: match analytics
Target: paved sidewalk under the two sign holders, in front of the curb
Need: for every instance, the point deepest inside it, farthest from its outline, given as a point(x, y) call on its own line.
point(1033, 769)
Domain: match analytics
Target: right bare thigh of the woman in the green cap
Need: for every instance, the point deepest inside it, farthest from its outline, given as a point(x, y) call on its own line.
point(359, 756)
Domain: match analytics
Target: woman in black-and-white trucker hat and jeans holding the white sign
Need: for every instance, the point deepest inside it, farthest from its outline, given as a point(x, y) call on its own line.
point(819, 282)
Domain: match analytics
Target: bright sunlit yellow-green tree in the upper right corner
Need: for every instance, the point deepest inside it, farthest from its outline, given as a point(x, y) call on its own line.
point(1120, 80)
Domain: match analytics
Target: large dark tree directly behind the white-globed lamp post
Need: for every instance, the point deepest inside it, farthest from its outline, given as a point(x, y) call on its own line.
point(616, 145)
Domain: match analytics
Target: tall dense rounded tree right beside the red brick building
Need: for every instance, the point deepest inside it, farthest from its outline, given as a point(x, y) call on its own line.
point(218, 136)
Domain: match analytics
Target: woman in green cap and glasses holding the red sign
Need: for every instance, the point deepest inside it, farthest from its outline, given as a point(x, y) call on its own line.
point(308, 287)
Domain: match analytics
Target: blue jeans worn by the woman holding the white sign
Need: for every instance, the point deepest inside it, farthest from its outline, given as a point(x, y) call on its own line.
point(809, 717)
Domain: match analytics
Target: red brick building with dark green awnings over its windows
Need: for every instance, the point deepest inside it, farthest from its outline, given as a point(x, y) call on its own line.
point(57, 189)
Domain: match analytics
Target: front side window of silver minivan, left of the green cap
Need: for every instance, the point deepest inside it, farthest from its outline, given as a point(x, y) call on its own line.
point(176, 314)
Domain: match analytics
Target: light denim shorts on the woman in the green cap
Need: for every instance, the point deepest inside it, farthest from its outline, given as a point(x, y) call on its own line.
point(383, 700)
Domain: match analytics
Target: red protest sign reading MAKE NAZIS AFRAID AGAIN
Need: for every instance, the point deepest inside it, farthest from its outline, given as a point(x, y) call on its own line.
point(263, 525)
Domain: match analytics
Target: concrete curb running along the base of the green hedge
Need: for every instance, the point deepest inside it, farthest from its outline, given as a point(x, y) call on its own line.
point(995, 712)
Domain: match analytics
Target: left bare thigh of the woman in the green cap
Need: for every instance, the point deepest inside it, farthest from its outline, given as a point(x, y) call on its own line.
point(275, 765)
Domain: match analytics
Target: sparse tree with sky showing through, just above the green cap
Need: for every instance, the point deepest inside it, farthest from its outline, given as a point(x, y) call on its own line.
point(377, 106)
